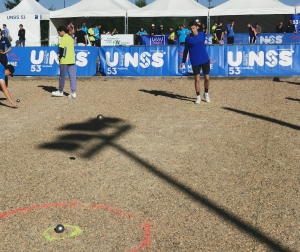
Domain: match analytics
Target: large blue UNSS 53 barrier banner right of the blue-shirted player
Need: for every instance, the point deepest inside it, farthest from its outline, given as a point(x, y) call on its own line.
point(262, 60)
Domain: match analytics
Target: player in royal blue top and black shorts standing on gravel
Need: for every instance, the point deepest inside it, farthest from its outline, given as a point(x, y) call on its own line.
point(195, 46)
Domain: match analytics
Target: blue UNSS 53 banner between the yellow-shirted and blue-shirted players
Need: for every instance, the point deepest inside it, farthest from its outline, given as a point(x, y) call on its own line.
point(139, 61)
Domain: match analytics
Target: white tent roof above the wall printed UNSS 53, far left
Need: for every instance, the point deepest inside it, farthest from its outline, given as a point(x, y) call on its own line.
point(27, 7)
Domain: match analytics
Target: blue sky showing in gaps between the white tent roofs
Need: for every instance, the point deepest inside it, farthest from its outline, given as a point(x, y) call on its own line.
point(59, 4)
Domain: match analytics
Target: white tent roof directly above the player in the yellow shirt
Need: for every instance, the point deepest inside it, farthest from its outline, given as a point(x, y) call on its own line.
point(95, 8)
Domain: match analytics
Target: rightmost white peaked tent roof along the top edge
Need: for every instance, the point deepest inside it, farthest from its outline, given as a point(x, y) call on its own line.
point(251, 7)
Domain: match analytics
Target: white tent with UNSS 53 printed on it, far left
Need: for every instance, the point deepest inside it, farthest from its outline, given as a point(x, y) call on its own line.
point(28, 13)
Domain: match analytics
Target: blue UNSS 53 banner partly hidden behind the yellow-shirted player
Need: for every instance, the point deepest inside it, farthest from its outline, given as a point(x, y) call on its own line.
point(42, 61)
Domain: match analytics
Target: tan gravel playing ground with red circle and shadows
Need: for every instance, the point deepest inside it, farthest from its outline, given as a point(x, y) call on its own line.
point(158, 173)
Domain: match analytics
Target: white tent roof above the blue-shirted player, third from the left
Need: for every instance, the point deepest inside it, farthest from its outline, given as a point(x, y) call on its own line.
point(170, 8)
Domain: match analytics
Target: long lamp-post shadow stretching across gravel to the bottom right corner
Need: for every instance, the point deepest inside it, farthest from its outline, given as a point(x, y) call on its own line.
point(95, 129)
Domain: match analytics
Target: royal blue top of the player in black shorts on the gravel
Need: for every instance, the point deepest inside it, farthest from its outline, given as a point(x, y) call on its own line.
point(197, 49)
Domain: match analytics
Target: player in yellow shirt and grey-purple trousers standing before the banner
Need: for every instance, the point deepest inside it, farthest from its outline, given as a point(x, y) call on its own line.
point(66, 57)
